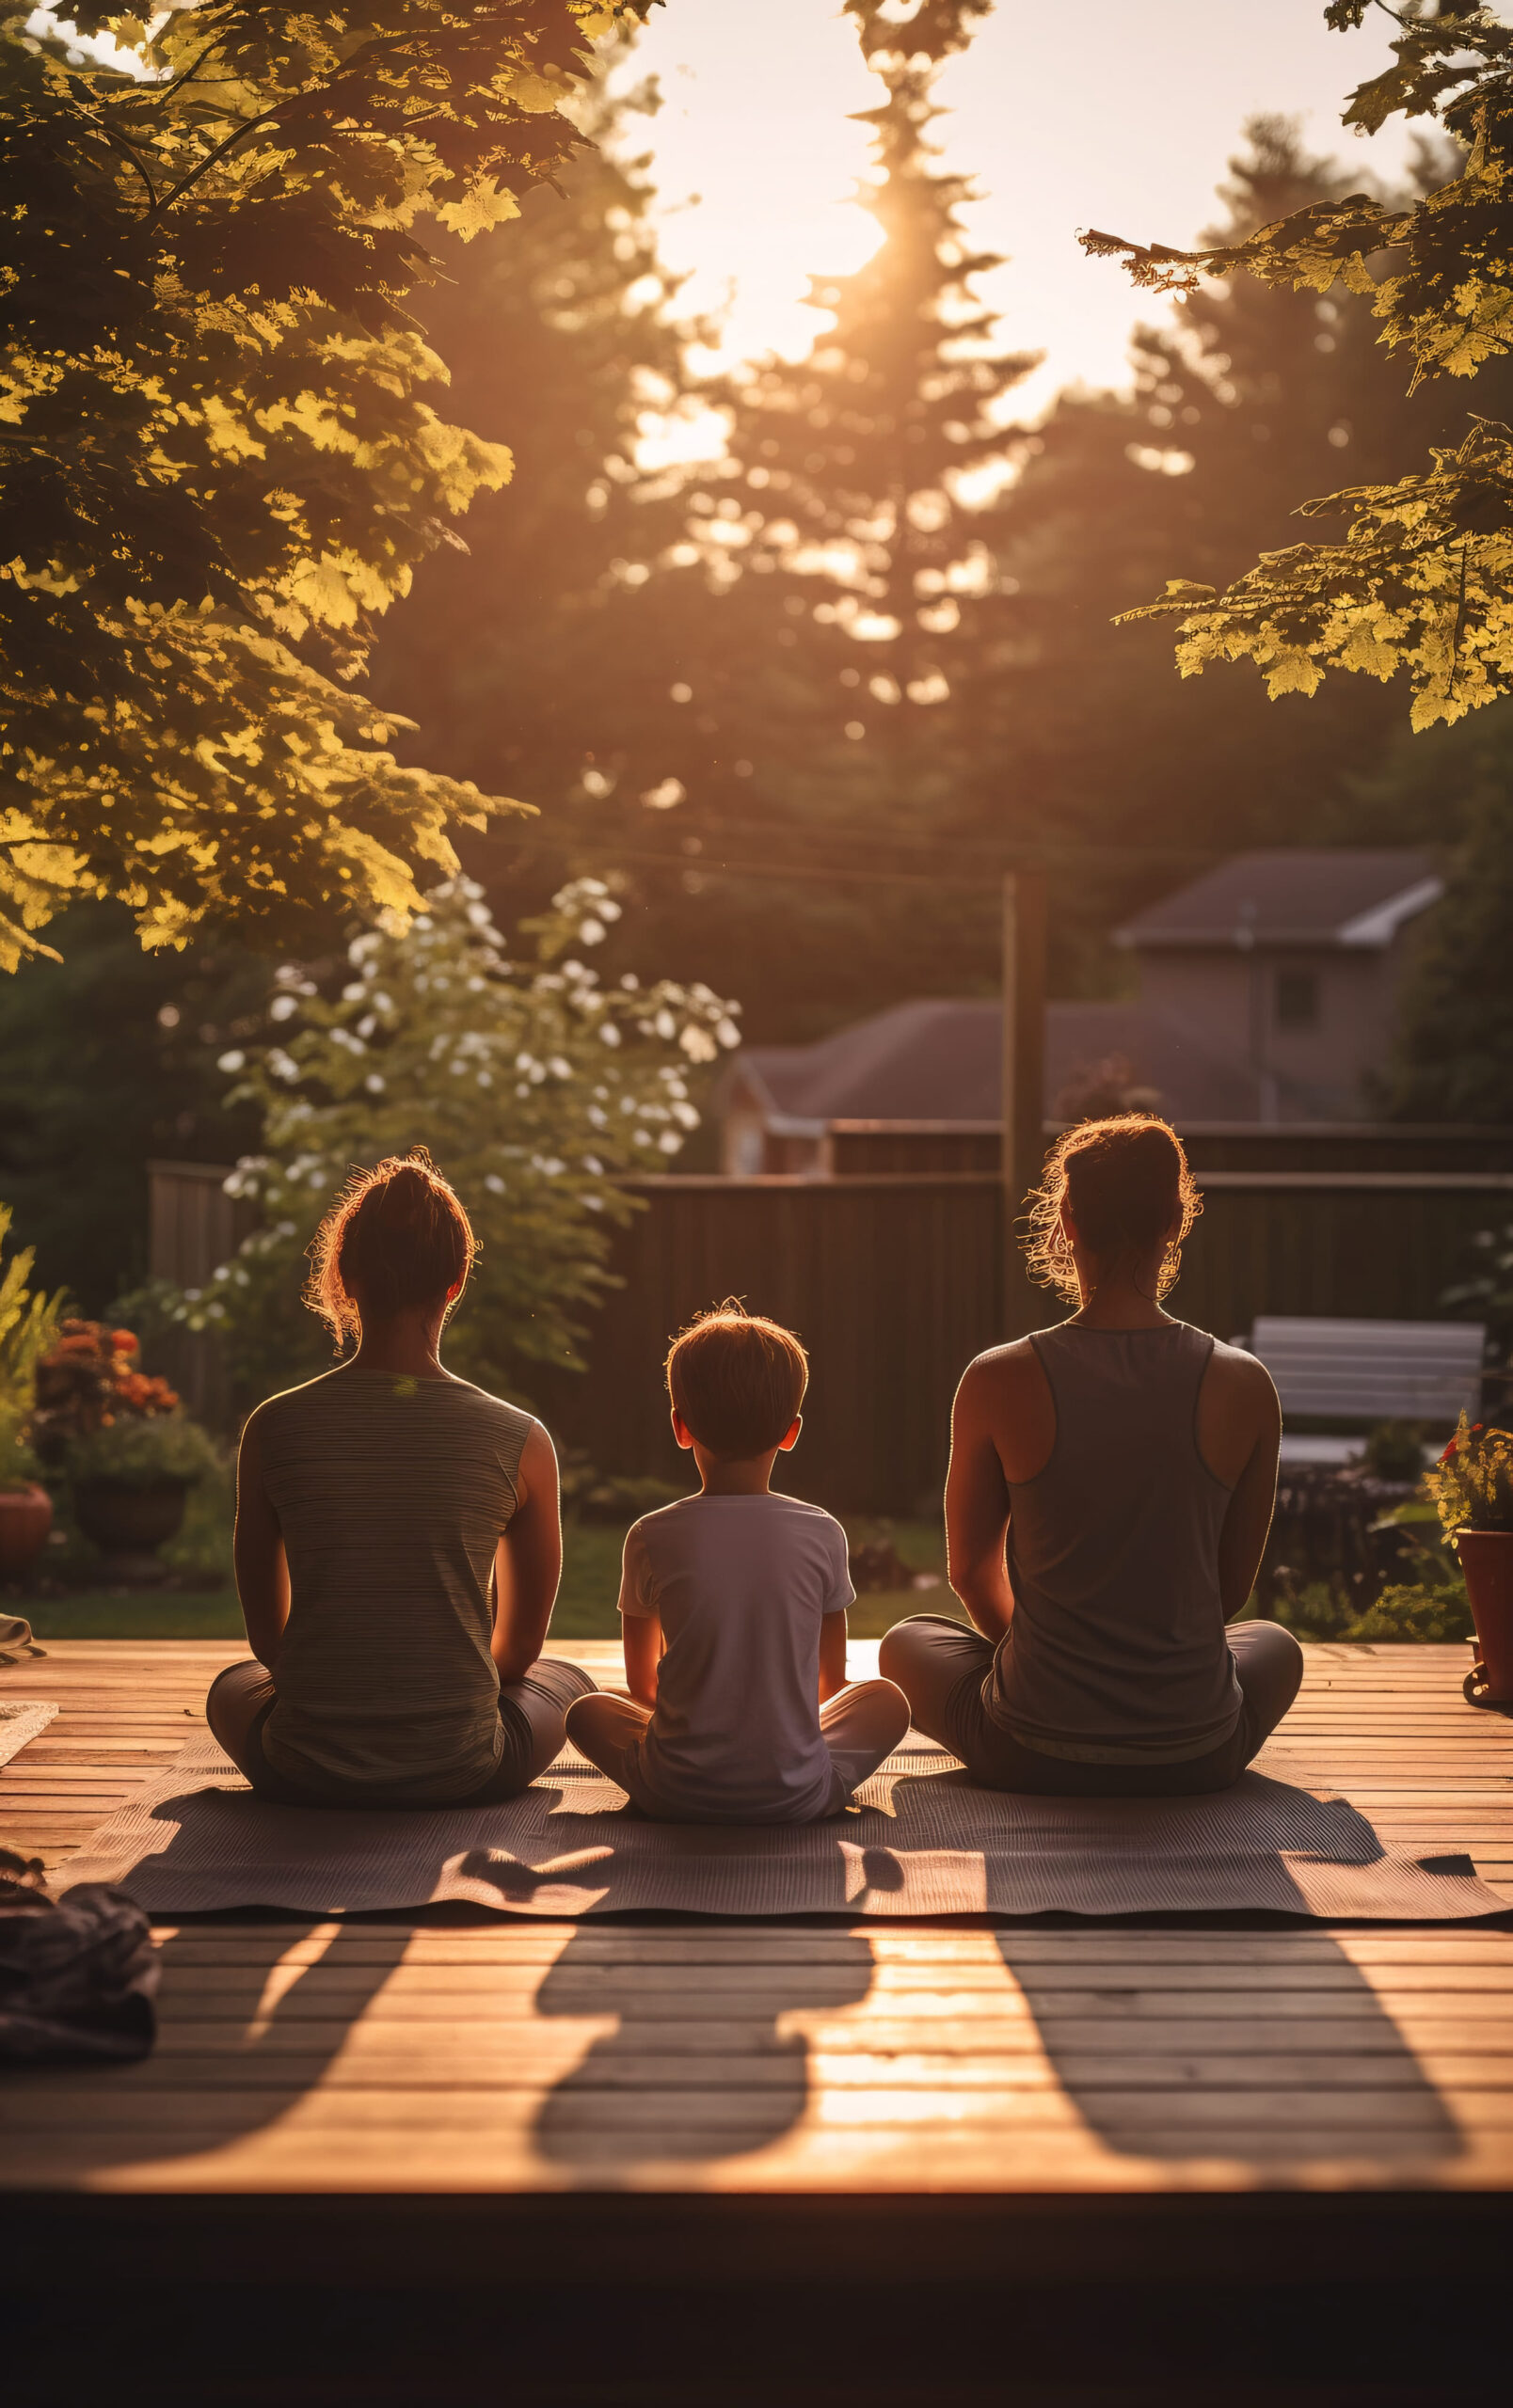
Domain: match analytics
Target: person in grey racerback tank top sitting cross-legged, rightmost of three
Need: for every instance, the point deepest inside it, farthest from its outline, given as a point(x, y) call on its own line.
point(1131, 1468)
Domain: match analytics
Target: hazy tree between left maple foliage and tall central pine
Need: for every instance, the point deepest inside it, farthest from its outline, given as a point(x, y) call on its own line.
point(526, 651)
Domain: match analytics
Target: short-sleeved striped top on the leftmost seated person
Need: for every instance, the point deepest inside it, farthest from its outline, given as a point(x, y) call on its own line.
point(392, 1497)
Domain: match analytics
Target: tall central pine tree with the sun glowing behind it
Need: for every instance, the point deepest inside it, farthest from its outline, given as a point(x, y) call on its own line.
point(835, 697)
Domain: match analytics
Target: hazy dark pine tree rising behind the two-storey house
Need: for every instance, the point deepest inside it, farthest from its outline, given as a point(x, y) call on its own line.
point(1254, 396)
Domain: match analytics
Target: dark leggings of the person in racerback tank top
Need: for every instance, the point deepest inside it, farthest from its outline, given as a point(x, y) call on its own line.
point(943, 1670)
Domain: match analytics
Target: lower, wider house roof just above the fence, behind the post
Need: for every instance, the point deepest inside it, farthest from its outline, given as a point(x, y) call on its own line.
point(943, 1063)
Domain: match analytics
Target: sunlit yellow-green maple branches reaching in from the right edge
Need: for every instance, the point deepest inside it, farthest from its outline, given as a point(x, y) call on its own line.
point(1423, 582)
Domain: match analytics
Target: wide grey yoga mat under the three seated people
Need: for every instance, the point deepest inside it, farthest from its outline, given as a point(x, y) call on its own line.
point(919, 1841)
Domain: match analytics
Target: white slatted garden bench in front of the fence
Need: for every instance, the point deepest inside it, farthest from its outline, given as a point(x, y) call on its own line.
point(1370, 1371)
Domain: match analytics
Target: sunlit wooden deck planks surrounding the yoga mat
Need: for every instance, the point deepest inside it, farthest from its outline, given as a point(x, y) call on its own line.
point(729, 2058)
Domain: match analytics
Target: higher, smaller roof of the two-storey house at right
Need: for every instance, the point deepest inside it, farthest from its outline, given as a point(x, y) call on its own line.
point(1297, 897)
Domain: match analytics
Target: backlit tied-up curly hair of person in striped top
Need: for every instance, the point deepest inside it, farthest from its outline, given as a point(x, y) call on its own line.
point(399, 1232)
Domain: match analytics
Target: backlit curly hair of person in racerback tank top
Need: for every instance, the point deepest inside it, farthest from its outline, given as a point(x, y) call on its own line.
point(1129, 1186)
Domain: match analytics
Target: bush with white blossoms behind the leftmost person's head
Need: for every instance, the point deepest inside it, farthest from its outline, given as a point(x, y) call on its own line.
point(536, 1087)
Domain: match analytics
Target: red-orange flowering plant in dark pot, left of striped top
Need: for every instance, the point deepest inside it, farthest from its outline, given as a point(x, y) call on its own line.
point(124, 1441)
